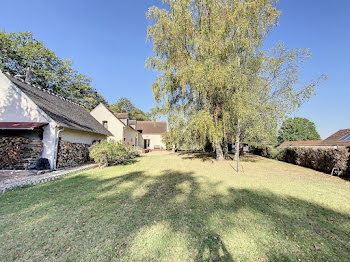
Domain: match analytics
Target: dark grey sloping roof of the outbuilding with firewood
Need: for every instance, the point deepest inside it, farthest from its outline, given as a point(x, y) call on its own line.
point(65, 113)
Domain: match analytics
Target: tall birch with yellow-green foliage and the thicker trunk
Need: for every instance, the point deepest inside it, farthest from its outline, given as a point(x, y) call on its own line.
point(197, 47)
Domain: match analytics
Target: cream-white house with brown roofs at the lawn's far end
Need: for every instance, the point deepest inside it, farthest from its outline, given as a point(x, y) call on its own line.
point(142, 134)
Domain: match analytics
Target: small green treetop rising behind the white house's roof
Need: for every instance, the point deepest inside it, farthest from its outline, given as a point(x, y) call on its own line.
point(124, 105)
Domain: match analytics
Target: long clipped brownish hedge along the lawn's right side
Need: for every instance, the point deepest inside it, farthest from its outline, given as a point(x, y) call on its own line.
point(323, 159)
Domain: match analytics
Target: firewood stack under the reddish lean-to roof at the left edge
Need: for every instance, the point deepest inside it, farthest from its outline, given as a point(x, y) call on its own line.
point(19, 152)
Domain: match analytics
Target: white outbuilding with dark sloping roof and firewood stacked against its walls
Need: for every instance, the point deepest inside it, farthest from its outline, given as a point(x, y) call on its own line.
point(35, 123)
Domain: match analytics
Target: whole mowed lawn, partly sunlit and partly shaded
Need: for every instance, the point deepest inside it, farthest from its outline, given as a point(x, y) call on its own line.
point(171, 207)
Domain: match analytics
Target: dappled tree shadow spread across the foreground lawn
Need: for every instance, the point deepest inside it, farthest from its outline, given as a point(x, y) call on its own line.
point(113, 211)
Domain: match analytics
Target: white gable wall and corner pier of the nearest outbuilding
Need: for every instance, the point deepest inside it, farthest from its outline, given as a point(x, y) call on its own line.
point(15, 106)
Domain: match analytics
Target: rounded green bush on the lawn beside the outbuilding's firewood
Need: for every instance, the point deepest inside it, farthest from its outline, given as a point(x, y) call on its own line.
point(109, 153)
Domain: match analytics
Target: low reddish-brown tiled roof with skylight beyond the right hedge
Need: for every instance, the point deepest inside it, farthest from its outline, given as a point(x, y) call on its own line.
point(340, 138)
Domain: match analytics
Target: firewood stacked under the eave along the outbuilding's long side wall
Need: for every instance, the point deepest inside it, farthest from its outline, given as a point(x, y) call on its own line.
point(72, 154)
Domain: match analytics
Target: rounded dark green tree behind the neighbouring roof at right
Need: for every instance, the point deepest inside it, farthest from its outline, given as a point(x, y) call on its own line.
point(297, 129)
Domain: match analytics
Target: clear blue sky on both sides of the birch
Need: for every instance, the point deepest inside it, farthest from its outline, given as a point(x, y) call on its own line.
point(107, 41)
